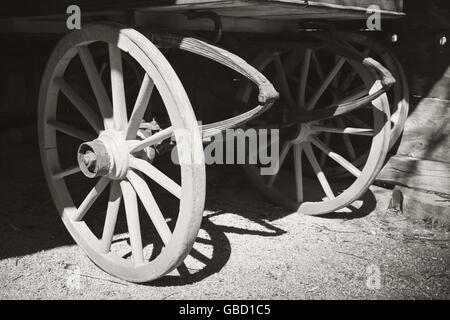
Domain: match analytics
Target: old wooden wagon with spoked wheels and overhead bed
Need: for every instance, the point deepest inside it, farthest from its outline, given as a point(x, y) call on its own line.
point(112, 107)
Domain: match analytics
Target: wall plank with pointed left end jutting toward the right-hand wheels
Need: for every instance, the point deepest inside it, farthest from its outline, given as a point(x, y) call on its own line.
point(417, 173)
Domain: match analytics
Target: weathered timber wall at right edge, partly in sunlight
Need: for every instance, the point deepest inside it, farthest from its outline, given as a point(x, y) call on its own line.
point(422, 160)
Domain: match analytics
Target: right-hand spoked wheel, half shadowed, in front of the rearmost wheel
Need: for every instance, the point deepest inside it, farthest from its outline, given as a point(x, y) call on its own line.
point(304, 84)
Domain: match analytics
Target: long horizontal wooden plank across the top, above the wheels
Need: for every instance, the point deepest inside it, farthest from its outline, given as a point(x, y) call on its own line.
point(57, 9)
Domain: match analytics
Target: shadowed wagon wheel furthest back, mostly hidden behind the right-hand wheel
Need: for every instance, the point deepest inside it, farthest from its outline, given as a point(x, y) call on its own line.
point(398, 96)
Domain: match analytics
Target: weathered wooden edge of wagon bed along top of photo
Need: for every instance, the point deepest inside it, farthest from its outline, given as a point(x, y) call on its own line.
point(267, 9)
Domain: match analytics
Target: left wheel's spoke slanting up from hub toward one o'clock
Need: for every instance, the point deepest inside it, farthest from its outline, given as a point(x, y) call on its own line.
point(140, 106)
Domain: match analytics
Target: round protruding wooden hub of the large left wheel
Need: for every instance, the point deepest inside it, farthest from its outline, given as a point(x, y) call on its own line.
point(108, 155)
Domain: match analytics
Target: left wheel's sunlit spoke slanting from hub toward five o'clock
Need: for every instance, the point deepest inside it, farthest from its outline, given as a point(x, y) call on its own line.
point(151, 206)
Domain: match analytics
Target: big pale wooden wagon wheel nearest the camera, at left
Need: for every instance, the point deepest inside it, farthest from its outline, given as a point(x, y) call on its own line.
point(110, 154)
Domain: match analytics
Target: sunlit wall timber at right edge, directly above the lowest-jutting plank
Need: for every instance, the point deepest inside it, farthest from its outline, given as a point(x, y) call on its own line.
point(426, 134)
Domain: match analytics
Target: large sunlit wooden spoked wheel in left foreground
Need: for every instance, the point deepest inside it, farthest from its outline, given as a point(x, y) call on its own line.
point(124, 173)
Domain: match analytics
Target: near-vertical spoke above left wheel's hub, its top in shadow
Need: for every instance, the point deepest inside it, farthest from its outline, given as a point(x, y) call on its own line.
point(117, 88)
